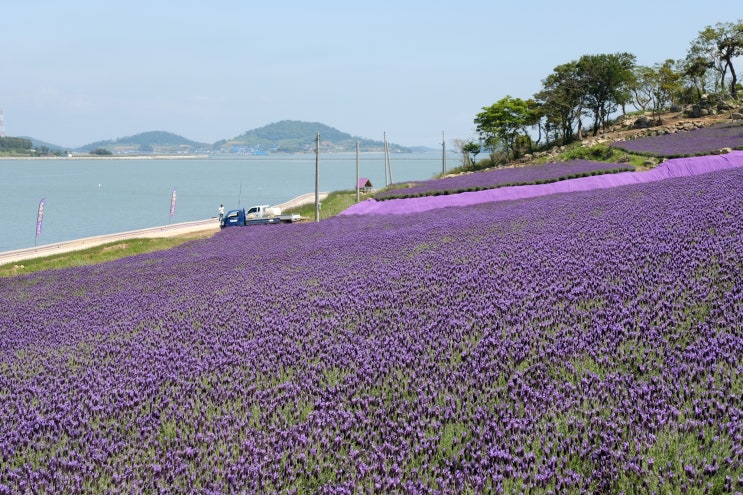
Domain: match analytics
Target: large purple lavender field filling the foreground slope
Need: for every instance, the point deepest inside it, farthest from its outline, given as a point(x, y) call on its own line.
point(577, 343)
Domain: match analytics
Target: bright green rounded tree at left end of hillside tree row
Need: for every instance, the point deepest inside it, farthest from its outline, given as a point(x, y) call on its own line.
point(500, 124)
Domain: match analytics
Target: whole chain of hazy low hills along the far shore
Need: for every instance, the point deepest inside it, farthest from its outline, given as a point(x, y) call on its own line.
point(286, 136)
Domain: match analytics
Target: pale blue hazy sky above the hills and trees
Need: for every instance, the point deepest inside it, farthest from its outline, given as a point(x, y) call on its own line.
point(79, 71)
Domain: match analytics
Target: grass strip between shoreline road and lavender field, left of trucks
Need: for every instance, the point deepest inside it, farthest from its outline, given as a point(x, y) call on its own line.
point(98, 254)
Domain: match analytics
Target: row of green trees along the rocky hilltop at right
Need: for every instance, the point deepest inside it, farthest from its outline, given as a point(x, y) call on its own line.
point(598, 86)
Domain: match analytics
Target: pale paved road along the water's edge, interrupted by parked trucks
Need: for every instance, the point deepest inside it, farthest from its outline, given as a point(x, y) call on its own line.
point(210, 224)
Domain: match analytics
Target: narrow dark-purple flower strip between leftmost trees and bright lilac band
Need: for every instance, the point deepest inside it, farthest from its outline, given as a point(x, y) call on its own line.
point(491, 179)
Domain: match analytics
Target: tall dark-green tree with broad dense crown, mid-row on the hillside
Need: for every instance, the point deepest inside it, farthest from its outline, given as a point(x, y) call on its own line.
point(605, 79)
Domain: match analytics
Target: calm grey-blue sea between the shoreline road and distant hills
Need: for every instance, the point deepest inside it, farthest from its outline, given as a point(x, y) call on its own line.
point(85, 198)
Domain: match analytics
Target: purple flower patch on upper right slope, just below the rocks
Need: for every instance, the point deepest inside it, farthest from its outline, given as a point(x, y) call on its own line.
point(692, 143)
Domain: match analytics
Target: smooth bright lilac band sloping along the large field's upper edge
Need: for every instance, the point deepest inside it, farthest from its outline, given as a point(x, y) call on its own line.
point(677, 167)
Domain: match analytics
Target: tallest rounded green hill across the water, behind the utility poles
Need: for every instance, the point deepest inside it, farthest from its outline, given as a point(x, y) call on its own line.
point(295, 136)
